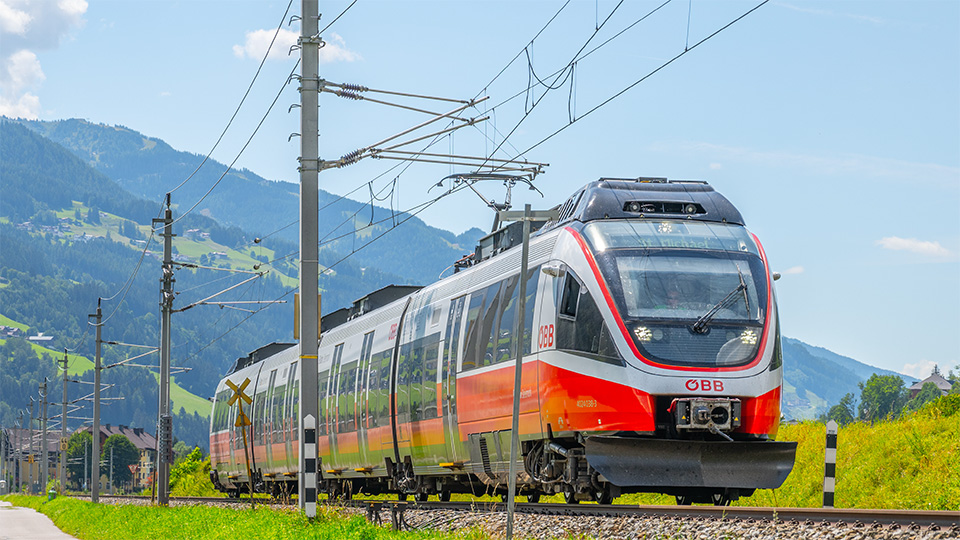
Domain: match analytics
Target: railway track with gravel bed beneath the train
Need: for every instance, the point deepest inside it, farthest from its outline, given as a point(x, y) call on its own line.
point(399, 511)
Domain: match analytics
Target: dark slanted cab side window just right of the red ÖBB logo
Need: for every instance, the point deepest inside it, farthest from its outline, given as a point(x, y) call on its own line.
point(580, 325)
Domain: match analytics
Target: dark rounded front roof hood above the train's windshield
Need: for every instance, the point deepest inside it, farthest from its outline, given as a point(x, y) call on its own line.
point(645, 198)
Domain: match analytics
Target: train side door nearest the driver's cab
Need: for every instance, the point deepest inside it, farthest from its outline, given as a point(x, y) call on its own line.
point(448, 387)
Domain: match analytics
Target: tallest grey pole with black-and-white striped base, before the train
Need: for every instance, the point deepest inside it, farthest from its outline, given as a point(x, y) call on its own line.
point(309, 252)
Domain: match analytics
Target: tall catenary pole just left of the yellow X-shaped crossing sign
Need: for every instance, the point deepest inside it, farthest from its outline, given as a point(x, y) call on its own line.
point(165, 420)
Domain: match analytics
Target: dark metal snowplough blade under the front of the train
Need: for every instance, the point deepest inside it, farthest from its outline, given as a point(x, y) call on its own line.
point(634, 462)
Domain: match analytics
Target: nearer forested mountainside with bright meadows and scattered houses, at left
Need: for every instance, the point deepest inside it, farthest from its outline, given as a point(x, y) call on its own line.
point(71, 235)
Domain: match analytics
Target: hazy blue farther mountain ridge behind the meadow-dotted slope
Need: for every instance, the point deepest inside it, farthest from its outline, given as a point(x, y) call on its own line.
point(149, 168)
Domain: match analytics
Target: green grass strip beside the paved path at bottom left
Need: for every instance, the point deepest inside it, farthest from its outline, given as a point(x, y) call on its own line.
point(89, 521)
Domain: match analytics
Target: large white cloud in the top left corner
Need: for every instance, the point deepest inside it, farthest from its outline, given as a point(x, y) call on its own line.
point(29, 26)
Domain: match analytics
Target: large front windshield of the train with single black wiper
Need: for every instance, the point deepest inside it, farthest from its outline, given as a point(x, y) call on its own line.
point(691, 293)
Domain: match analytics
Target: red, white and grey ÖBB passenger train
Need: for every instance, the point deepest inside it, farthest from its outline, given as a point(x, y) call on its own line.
point(651, 363)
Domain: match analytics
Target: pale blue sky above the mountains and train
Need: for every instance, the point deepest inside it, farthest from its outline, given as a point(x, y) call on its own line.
point(833, 126)
